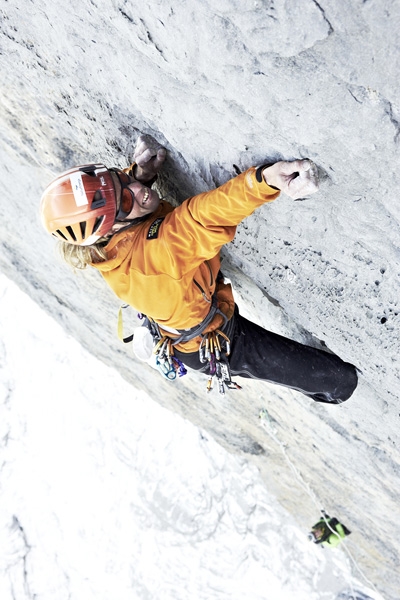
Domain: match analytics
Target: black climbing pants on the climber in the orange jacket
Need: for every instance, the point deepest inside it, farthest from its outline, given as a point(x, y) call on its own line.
point(260, 354)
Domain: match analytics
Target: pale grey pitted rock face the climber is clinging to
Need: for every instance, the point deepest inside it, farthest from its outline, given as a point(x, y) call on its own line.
point(225, 87)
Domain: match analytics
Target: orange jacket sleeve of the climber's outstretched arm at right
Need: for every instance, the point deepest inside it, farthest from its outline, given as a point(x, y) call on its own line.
point(199, 228)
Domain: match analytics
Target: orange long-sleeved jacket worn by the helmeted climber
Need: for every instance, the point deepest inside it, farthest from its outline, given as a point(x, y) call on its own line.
point(166, 266)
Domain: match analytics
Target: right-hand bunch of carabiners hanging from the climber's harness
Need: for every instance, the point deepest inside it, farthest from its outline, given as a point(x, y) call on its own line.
point(211, 351)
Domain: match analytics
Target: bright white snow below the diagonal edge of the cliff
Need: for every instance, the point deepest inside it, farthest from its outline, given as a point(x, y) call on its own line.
point(106, 495)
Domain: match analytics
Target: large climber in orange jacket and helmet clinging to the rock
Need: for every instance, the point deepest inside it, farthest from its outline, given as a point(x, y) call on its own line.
point(165, 262)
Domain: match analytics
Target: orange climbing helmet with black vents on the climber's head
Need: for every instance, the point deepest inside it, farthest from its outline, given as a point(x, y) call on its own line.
point(80, 206)
